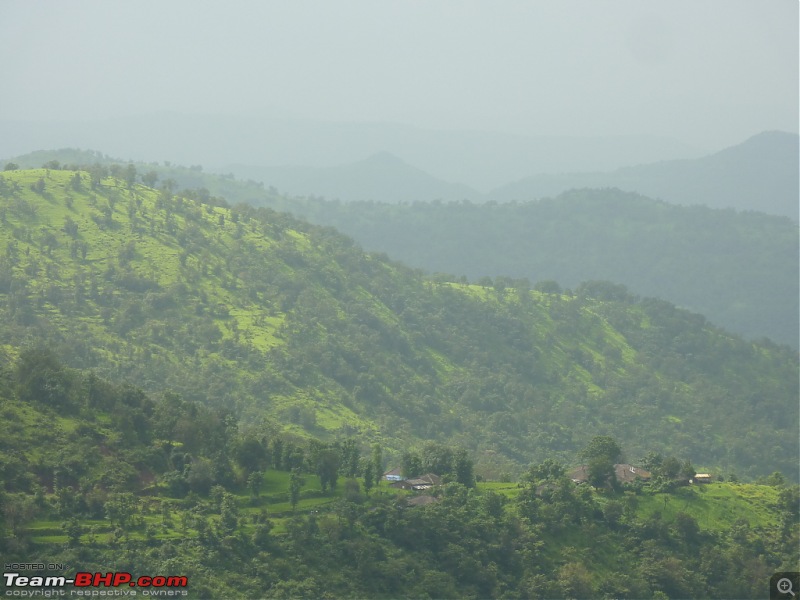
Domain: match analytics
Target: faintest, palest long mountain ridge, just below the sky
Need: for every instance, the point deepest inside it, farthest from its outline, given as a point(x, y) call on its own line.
point(482, 160)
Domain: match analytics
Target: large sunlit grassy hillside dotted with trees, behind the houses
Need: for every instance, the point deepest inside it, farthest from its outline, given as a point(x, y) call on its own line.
point(292, 327)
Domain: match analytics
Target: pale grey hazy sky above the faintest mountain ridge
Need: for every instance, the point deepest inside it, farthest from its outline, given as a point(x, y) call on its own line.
point(707, 72)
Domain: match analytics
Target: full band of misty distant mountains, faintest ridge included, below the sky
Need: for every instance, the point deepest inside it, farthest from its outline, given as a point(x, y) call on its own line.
point(397, 163)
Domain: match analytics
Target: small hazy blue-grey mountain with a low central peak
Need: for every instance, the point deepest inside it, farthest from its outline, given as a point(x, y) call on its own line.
point(382, 177)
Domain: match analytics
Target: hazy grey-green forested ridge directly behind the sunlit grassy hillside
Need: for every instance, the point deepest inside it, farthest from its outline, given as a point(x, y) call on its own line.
point(737, 269)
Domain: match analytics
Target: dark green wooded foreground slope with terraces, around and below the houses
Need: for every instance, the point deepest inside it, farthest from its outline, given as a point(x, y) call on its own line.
point(111, 480)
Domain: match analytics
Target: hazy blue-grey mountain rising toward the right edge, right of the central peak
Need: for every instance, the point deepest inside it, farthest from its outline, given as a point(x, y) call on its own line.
point(759, 174)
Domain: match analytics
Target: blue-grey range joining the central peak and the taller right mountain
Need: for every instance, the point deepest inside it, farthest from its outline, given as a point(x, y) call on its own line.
point(760, 174)
